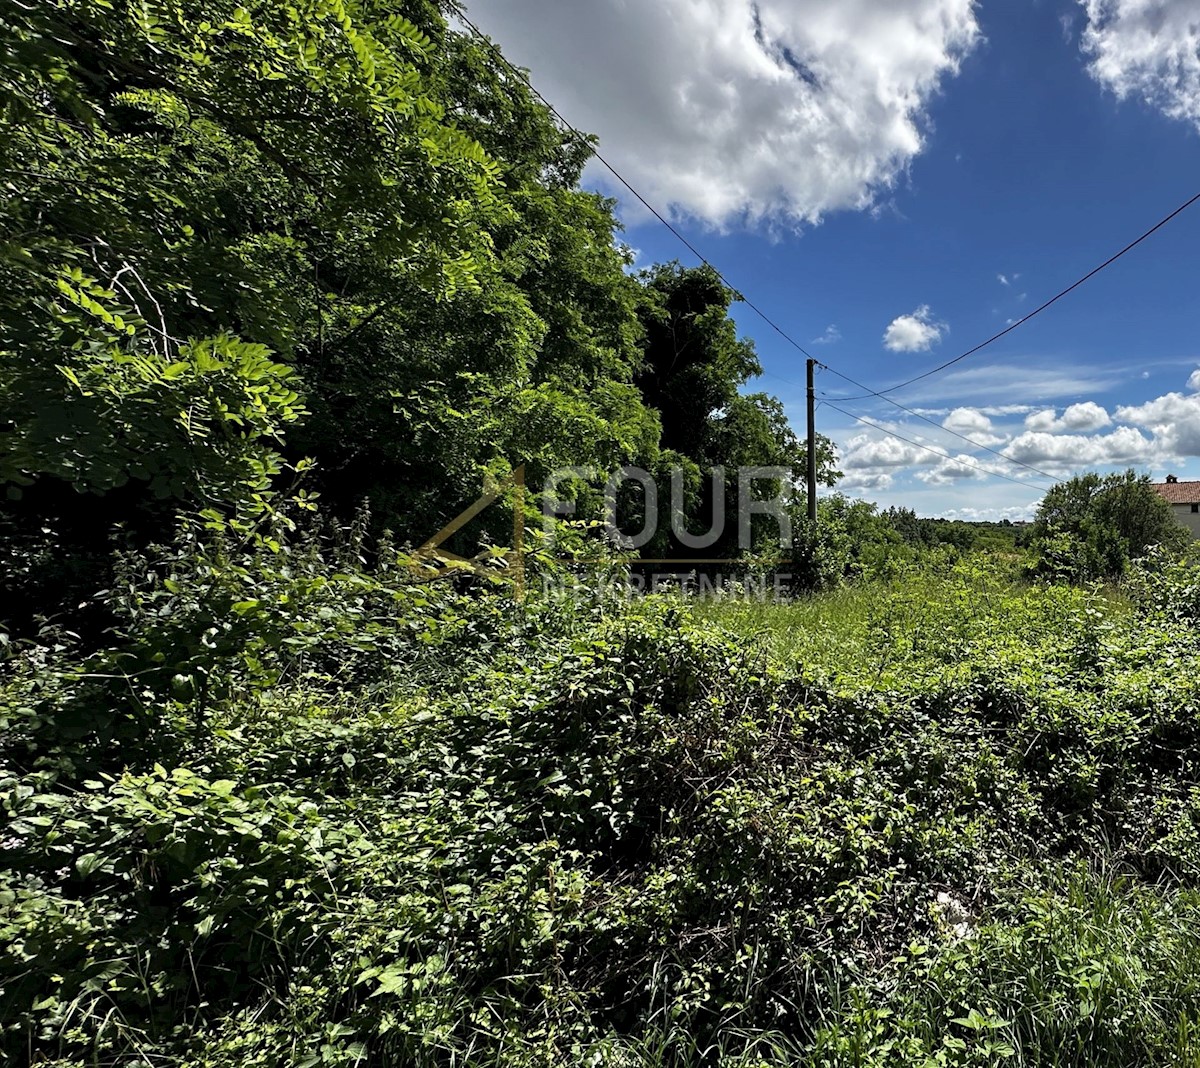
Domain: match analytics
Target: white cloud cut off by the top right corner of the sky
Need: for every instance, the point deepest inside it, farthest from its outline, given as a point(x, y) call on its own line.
point(1148, 50)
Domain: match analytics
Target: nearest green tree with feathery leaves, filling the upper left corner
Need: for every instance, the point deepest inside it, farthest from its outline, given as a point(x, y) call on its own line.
point(177, 176)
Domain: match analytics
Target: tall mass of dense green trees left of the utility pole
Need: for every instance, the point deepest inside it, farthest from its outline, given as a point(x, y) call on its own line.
point(254, 236)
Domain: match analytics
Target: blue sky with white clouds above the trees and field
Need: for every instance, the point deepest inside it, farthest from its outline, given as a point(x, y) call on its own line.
point(895, 182)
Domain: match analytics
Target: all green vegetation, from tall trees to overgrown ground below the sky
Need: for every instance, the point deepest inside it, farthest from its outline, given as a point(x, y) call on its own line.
point(283, 285)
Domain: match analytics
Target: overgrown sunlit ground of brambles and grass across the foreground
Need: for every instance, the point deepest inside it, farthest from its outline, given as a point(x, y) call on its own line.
point(947, 820)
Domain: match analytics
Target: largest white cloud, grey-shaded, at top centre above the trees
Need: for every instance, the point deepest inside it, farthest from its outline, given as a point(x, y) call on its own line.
point(745, 111)
